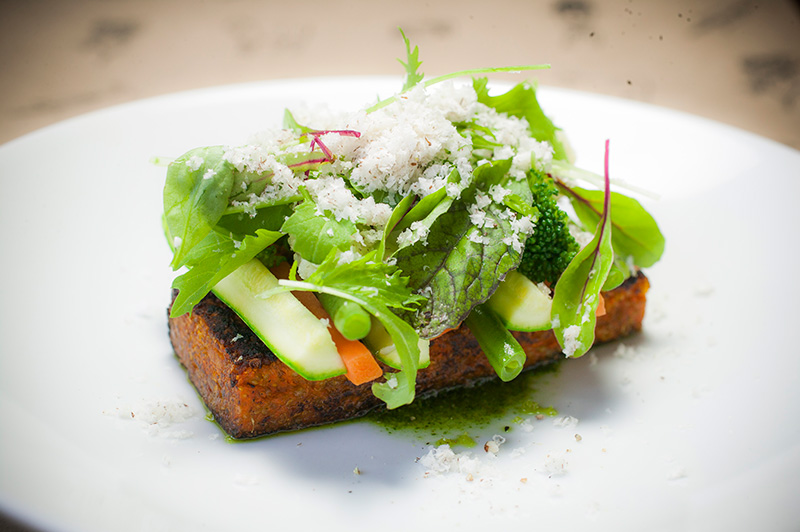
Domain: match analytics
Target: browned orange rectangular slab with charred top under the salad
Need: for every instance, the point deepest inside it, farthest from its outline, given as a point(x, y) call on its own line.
point(251, 393)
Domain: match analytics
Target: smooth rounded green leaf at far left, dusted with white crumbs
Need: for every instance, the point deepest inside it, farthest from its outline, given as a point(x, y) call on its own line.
point(196, 193)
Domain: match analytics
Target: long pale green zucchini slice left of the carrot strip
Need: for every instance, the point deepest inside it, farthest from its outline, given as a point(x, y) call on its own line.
point(297, 337)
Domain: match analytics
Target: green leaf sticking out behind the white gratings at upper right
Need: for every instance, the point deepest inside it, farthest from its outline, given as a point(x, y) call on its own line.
point(521, 102)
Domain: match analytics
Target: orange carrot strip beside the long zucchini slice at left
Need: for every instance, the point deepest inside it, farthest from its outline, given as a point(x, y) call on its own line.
point(358, 360)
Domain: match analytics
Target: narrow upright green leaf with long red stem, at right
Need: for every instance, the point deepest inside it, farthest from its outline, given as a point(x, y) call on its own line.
point(577, 293)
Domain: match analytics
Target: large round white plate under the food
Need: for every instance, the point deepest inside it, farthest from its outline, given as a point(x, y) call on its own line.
point(693, 426)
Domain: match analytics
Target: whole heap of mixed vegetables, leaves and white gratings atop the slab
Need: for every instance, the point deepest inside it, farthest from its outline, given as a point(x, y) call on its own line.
point(441, 205)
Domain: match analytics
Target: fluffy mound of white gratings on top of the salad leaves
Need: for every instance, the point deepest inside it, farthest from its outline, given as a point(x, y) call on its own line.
point(410, 146)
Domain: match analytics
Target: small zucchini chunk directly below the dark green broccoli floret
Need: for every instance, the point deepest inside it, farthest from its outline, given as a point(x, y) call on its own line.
point(521, 305)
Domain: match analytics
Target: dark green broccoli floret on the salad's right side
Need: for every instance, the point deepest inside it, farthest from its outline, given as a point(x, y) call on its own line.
point(551, 247)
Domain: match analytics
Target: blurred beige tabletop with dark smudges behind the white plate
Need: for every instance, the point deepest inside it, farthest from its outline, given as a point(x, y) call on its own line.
point(733, 61)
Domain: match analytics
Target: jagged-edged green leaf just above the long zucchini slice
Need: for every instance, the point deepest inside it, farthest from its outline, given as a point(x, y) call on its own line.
point(212, 260)
